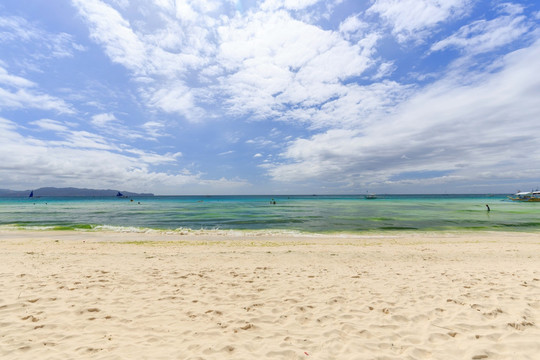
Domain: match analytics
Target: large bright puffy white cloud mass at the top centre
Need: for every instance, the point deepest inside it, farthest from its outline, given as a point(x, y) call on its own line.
point(256, 65)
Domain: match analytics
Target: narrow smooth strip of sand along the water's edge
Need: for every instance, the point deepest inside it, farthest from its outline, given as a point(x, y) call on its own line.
point(245, 237)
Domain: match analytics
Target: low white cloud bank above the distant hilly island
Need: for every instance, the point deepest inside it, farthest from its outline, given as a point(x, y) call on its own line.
point(83, 159)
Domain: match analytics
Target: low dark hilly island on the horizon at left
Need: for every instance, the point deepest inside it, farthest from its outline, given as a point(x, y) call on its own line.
point(70, 191)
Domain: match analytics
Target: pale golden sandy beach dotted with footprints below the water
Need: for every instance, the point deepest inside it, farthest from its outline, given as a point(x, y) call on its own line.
point(73, 295)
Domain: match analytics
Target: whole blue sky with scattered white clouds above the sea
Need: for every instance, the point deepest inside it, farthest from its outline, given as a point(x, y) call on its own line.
point(270, 96)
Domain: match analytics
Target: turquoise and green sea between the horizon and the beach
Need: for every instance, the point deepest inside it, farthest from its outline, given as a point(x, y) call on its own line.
point(315, 214)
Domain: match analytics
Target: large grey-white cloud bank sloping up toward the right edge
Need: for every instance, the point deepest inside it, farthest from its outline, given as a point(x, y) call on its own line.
point(481, 129)
